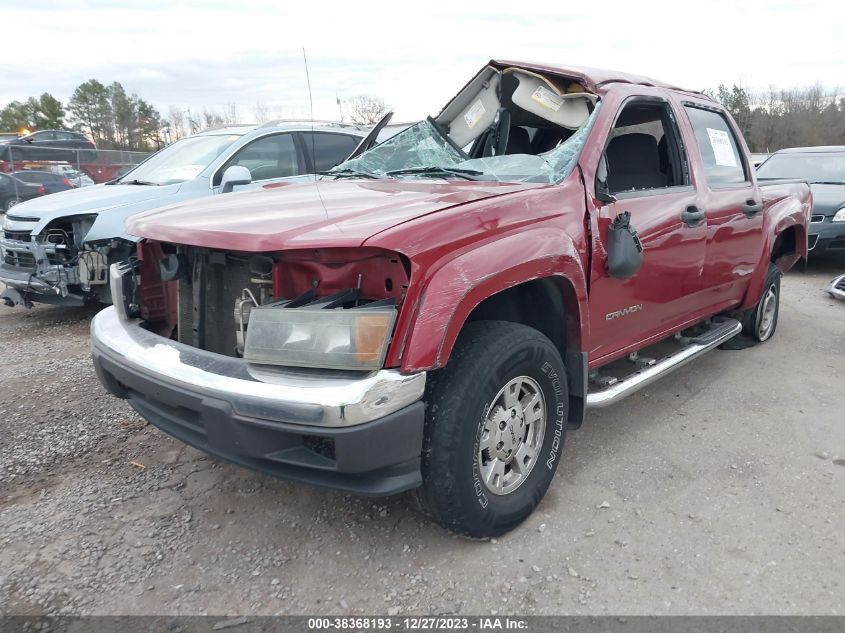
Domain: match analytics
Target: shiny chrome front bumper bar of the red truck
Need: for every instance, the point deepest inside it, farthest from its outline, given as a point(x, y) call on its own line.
point(297, 397)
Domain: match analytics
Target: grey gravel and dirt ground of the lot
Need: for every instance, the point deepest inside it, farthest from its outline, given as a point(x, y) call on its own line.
point(719, 490)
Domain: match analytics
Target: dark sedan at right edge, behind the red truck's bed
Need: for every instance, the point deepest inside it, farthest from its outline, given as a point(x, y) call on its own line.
point(824, 169)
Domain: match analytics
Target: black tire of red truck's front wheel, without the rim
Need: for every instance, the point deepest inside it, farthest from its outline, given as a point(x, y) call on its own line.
point(487, 355)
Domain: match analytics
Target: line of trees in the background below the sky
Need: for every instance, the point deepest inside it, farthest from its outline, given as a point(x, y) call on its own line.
point(770, 120)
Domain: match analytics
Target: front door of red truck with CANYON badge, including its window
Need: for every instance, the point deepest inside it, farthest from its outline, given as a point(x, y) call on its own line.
point(647, 171)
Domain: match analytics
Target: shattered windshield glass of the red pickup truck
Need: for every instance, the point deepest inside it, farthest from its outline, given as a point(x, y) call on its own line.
point(423, 151)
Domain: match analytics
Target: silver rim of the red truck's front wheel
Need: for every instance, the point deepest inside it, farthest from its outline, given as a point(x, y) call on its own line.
point(512, 435)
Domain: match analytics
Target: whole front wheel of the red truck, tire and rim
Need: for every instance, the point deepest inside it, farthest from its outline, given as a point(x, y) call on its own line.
point(495, 427)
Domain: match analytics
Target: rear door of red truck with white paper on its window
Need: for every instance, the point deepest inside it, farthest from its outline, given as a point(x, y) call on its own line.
point(731, 201)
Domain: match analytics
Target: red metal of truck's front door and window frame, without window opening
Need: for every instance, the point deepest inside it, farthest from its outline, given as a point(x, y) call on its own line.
point(650, 309)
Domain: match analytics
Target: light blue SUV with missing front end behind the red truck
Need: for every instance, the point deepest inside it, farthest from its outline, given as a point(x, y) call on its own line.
point(58, 249)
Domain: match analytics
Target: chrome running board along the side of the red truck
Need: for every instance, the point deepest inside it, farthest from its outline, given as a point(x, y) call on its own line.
point(721, 331)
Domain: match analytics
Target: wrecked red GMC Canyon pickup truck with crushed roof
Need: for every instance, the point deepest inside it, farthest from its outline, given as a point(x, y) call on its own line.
point(435, 314)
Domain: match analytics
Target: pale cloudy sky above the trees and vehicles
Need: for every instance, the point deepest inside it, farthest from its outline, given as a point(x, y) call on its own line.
point(415, 56)
